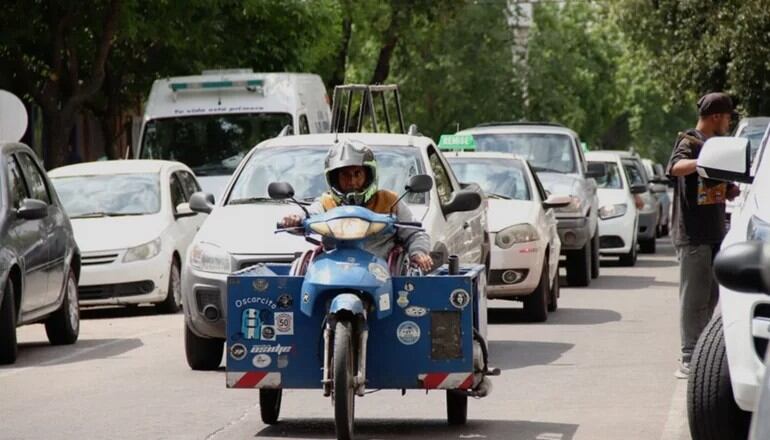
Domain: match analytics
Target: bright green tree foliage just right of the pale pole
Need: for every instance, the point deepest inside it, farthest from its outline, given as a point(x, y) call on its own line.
point(571, 69)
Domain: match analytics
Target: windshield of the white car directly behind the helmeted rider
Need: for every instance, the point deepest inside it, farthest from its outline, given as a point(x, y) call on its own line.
point(303, 168)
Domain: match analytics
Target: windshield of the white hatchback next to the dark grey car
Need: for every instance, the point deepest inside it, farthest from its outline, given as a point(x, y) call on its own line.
point(109, 195)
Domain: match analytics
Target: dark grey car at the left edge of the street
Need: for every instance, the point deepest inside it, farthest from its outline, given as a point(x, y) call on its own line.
point(39, 260)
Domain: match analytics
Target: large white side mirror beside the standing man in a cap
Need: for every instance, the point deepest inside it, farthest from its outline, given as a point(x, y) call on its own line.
point(726, 158)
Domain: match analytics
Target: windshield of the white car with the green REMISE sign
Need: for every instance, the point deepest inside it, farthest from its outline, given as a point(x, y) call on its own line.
point(498, 178)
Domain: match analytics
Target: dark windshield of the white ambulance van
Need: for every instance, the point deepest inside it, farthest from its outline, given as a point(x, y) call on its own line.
point(212, 145)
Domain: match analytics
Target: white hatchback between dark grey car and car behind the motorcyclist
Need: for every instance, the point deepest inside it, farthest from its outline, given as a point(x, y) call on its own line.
point(133, 225)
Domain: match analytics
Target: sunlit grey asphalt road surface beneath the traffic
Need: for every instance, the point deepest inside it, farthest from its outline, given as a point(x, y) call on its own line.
point(600, 368)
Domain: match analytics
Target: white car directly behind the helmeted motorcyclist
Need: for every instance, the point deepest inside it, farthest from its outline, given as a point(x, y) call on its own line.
point(240, 231)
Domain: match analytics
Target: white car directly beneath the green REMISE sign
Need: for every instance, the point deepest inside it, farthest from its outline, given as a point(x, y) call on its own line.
point(524, 262)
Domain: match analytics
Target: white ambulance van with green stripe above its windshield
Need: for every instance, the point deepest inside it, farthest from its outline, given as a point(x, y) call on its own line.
point(210, 121)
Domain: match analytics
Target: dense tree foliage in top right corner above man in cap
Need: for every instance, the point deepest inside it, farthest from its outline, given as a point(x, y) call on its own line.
point(700, 47)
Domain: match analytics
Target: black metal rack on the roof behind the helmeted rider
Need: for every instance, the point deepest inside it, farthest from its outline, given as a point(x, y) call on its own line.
point(353, 103)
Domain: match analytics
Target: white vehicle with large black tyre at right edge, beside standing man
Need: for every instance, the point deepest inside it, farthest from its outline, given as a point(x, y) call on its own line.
point(727, 366)
